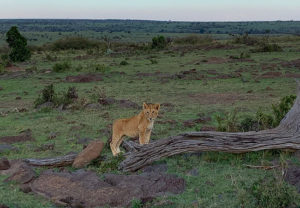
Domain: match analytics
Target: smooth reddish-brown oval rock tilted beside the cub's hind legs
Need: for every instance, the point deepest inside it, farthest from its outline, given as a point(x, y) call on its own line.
point(91, 152)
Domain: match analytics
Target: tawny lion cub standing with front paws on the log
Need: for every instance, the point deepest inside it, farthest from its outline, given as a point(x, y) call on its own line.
point(140, 125)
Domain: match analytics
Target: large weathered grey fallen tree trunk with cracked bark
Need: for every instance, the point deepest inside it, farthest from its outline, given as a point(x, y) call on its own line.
point(285, 136)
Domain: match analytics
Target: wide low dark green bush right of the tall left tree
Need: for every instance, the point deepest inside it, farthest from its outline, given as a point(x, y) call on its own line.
point(76, 43)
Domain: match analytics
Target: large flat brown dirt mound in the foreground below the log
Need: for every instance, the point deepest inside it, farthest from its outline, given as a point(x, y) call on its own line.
point(85, 189)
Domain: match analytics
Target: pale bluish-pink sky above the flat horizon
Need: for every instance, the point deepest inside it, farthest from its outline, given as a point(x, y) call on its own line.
point(176, 10)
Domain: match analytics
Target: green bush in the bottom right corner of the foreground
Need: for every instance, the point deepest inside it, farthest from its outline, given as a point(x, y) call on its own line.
point(273, 192)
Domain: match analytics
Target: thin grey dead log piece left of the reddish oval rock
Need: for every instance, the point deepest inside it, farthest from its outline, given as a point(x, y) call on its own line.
point(53, 162)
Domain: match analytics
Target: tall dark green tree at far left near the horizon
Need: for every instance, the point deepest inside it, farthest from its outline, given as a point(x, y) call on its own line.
point(18, 45)
